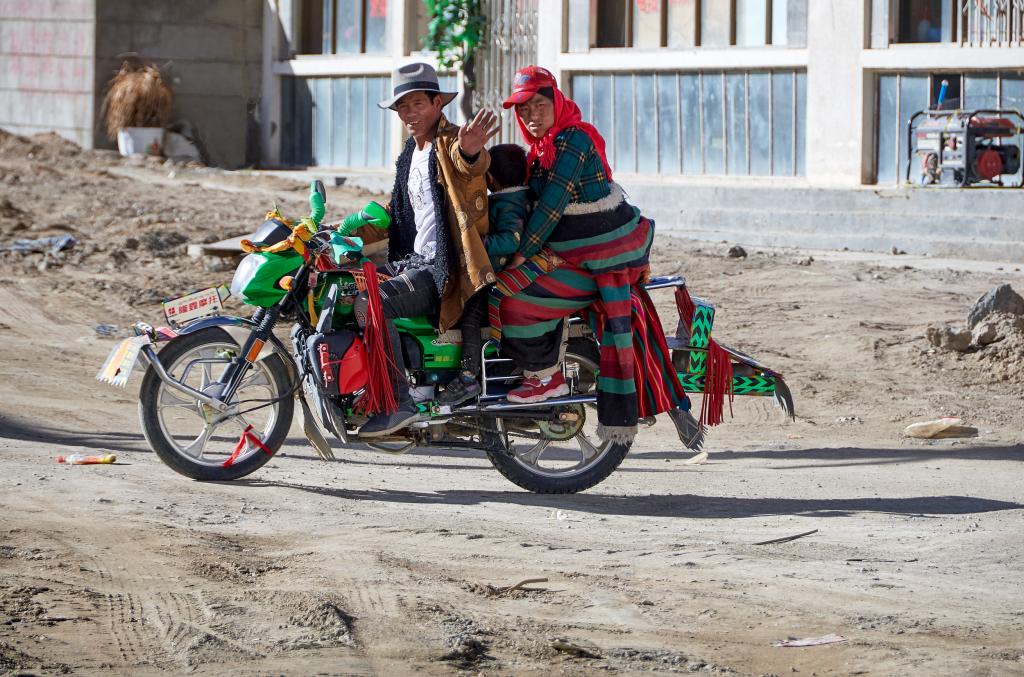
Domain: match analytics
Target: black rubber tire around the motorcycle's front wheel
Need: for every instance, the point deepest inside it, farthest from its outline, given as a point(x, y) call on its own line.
point(279, 376)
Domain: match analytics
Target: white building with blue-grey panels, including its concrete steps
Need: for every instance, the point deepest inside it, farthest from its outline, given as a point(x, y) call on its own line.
point(763, 121)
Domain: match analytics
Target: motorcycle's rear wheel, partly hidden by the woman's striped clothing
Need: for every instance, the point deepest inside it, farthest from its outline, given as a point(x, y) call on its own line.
point(560, 454)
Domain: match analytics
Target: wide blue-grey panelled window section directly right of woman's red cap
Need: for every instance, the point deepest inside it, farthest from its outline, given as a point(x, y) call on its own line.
point(709, 122)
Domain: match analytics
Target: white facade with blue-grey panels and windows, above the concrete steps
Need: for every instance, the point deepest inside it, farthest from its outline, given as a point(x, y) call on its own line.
point(789, 93)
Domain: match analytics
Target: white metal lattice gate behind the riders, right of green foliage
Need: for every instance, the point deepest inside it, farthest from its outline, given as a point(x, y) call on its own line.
point(509, 46)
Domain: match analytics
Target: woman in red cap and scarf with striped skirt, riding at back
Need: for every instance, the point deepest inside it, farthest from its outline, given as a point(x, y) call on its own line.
point(584, 243)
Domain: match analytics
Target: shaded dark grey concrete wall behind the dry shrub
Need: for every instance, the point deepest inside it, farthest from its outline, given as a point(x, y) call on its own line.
point(211, 50)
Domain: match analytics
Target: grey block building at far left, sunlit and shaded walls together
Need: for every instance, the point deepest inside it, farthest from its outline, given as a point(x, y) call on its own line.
point(58, 56)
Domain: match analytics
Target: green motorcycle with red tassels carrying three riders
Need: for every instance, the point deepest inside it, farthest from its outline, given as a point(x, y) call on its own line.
point(219, 397)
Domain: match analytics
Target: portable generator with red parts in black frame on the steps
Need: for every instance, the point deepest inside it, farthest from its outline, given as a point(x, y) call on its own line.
point(956, 149)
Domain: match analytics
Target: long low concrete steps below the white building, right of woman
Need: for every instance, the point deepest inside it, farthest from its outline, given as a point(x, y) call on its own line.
point(985, 224)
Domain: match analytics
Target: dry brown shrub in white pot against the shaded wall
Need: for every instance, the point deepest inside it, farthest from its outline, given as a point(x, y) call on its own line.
point(137, 97)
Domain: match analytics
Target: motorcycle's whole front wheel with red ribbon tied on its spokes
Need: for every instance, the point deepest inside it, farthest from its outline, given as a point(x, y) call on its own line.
point(198, 443)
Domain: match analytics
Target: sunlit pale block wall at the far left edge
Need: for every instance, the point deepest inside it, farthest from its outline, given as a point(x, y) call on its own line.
point(48, 53)
